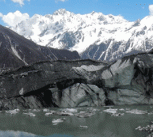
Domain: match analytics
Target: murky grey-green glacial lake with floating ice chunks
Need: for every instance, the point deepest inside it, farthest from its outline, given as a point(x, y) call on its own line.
point(113, 121)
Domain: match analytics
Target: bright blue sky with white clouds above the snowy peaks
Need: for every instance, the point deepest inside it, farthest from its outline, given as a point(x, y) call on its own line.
point(16, 10)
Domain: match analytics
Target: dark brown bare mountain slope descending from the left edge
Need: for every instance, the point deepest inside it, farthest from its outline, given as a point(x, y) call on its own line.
point(17, 51)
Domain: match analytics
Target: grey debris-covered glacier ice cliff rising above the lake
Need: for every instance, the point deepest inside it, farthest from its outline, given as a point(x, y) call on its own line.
point(79, 83)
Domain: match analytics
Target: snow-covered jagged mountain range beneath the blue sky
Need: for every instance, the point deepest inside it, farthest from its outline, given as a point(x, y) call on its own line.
point(94, 35)
